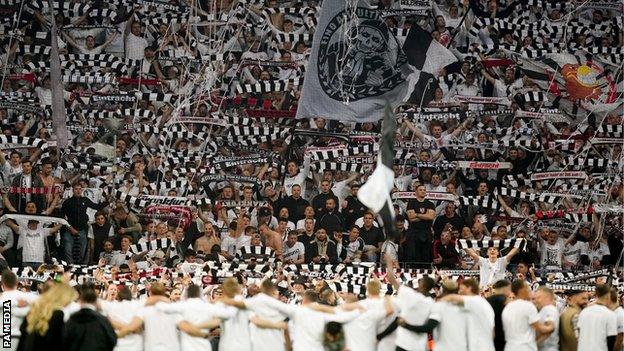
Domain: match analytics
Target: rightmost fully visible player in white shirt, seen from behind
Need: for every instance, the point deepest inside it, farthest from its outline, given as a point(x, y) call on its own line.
point(597, 323)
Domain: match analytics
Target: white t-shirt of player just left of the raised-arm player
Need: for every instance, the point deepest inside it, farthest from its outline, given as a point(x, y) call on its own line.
point(361, 333)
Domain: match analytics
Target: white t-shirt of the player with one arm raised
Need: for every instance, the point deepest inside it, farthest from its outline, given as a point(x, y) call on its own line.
point(414, 309)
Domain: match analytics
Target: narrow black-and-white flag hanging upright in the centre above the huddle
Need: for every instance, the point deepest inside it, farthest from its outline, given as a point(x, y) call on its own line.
point(375, 193)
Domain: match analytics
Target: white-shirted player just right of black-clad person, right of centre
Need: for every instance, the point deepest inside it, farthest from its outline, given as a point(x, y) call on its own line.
point(521, 320)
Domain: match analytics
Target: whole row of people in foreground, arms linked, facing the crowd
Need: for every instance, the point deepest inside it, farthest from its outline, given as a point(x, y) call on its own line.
point(431, 315)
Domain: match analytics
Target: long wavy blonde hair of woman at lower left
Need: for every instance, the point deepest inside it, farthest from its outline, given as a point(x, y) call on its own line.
point(57, 297)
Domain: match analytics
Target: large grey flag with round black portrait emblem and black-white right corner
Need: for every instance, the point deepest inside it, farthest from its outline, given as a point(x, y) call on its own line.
point(357, 65)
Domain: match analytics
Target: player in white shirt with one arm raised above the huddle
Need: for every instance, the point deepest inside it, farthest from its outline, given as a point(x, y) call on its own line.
point(414, 308)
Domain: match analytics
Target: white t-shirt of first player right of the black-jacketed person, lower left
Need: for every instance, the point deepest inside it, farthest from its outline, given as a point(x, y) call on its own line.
point(124, 312)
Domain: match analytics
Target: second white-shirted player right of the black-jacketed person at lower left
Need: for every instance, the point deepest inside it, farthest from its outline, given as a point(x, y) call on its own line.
point(160, 329)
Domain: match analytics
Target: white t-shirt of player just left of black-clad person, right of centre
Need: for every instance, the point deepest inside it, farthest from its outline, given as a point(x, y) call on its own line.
point(480, 323)
